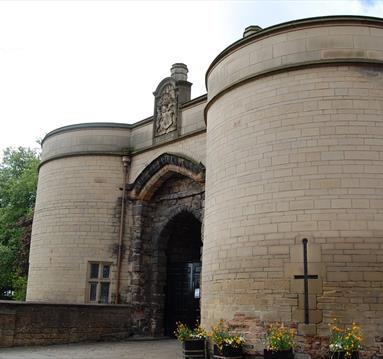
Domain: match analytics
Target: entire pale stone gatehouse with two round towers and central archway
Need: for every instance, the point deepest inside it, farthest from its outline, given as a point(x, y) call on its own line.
point(276, 172)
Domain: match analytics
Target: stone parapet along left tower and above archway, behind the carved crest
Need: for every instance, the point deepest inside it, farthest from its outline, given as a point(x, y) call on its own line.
point(116, 139)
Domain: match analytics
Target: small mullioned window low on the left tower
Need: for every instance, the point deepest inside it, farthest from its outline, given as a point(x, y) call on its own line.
point(98, 282)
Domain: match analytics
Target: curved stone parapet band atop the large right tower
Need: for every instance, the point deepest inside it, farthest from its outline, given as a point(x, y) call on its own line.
point(316, 41)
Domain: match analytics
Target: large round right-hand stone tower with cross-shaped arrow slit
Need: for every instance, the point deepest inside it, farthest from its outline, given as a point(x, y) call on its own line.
point(295, 151)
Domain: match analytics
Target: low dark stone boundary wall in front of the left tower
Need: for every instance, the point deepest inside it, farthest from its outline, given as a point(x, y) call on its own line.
point(41, 324)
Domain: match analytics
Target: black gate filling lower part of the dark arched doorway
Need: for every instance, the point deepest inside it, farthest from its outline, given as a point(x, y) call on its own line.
point(182, 295)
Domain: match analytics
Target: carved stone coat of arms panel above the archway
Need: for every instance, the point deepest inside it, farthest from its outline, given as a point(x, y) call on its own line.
point(166, 111)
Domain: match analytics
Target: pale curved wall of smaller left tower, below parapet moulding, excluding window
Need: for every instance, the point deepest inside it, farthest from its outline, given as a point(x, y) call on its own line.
point(76, 221)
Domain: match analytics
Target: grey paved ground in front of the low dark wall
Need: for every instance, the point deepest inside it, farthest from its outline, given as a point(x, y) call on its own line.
point(156, 349)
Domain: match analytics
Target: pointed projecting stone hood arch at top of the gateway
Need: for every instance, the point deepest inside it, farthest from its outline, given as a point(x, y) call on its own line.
point(160, 169)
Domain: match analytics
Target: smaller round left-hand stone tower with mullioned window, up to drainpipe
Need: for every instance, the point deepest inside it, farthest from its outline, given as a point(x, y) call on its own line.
point(76, 221)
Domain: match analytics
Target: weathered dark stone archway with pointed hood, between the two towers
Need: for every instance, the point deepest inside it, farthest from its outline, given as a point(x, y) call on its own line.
point(167, 201)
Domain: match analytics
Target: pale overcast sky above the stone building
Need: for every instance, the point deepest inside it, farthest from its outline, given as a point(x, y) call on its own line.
point(66, 62)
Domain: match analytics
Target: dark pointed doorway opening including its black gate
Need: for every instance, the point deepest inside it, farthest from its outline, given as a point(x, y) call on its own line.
point(183, 255)
